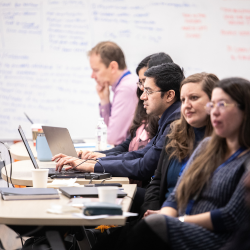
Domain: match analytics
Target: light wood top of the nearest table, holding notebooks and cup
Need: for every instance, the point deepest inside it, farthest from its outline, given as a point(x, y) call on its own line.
point(33, 212)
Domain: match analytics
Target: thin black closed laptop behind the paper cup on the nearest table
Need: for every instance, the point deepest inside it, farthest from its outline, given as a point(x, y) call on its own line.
point(72, 192)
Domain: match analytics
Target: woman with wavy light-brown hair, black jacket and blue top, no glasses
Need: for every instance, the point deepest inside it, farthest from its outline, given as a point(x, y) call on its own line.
point(186, 133)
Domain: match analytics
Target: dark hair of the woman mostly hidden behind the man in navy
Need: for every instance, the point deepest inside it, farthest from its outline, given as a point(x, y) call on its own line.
point(140, 116)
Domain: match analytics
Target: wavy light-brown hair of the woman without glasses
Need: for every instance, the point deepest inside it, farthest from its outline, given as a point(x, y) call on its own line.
point(181, 137)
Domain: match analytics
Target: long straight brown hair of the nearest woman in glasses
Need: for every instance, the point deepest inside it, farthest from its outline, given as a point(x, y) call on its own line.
point(214, 153)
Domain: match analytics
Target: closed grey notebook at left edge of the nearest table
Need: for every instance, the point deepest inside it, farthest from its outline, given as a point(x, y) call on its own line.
point(29, 193)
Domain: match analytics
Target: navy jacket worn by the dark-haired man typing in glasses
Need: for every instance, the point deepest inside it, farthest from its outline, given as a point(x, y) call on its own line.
point(141, 164)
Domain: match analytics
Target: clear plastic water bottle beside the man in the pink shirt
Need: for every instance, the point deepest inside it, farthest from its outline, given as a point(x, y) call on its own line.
point(101, 135)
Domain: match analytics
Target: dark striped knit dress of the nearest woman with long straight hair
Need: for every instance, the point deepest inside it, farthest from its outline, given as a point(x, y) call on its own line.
point(223, 197)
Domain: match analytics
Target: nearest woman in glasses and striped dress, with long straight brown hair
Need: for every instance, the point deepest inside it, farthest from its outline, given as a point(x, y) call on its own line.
point(207, 205)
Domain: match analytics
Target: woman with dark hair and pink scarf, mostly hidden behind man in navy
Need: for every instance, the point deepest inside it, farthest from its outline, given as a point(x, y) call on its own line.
point(143, 127)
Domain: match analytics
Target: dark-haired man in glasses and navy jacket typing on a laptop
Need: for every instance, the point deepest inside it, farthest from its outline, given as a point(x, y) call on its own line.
point(161, 98)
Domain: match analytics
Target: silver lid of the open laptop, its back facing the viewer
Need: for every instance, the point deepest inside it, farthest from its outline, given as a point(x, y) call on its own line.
point(59, 141)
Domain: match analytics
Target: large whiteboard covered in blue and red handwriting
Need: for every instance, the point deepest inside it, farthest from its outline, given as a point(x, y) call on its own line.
point(44, 68)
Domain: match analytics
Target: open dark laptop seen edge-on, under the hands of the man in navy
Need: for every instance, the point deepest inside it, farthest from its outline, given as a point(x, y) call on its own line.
point(51, 167)
